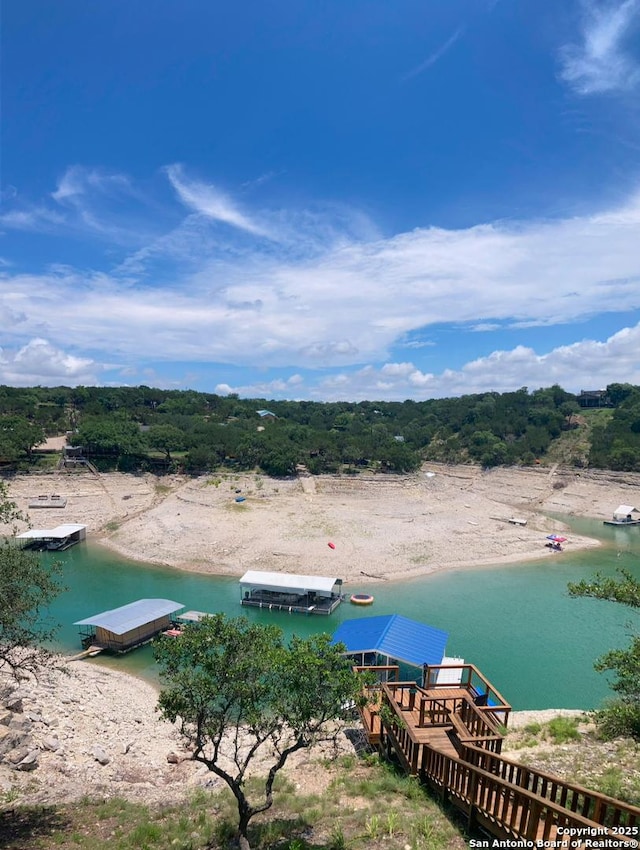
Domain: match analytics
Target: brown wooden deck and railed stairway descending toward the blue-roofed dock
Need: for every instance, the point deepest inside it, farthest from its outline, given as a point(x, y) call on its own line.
point(451, 736)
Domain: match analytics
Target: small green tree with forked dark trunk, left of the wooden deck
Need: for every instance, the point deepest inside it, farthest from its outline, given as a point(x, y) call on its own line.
point(242, 695)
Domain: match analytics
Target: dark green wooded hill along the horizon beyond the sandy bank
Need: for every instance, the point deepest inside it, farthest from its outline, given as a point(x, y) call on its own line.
point(141, 428)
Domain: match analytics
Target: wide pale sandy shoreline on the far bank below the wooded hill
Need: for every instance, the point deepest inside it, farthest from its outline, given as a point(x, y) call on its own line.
point(383, 527)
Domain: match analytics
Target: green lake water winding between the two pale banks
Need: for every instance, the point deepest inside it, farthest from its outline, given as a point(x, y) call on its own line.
point(516, 623)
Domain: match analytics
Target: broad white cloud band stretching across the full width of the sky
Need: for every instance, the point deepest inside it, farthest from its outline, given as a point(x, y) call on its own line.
point(346, 306)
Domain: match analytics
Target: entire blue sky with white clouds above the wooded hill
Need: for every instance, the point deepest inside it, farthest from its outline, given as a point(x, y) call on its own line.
point(348, 199)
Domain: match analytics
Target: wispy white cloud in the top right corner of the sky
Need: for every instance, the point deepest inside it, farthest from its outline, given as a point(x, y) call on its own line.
point(606, 59)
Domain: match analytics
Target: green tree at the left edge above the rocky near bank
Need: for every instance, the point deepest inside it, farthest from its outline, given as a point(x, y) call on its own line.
point(26, 589)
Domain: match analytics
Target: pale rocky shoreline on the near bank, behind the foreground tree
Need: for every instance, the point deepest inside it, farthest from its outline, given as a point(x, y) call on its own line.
point(94, 731)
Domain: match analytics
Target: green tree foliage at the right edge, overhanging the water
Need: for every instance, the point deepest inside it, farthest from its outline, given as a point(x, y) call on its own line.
point(621, 716)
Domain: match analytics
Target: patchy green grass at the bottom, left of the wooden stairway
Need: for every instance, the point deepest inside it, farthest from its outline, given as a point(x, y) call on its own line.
point(366, 806)
